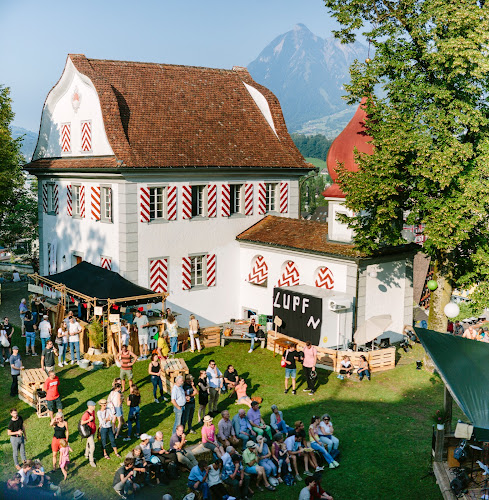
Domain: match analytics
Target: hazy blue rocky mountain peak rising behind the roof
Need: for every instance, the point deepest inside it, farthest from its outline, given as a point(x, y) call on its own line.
point(307, 74)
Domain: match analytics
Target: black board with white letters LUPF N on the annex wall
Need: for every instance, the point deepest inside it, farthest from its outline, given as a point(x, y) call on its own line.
point(302, 314)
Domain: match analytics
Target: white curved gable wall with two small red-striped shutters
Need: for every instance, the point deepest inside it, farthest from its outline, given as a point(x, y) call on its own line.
point(59, 109)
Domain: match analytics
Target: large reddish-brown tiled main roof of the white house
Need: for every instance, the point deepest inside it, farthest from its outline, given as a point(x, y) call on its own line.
point(160, 115)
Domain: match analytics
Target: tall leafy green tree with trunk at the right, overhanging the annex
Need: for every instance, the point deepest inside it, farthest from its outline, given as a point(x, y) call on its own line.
point(427, 90)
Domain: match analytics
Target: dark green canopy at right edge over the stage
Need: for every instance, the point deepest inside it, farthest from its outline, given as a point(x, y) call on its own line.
point(462, 365)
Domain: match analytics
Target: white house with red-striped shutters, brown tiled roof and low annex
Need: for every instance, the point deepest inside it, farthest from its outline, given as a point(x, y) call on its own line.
point(152, 171)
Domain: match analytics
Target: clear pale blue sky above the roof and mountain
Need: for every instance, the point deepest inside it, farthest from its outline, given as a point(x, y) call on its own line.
point(36, 36)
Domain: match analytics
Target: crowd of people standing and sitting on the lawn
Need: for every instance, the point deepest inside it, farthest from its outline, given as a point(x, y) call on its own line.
point(245, 451)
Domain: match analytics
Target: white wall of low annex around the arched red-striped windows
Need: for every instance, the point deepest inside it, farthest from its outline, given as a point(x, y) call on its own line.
point(260, 298)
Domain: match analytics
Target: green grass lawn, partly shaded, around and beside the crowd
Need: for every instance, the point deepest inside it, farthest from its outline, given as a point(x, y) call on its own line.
point(383, 425)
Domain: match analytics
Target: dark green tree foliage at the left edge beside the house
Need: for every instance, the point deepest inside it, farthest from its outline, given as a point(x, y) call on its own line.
point(18, 204)
